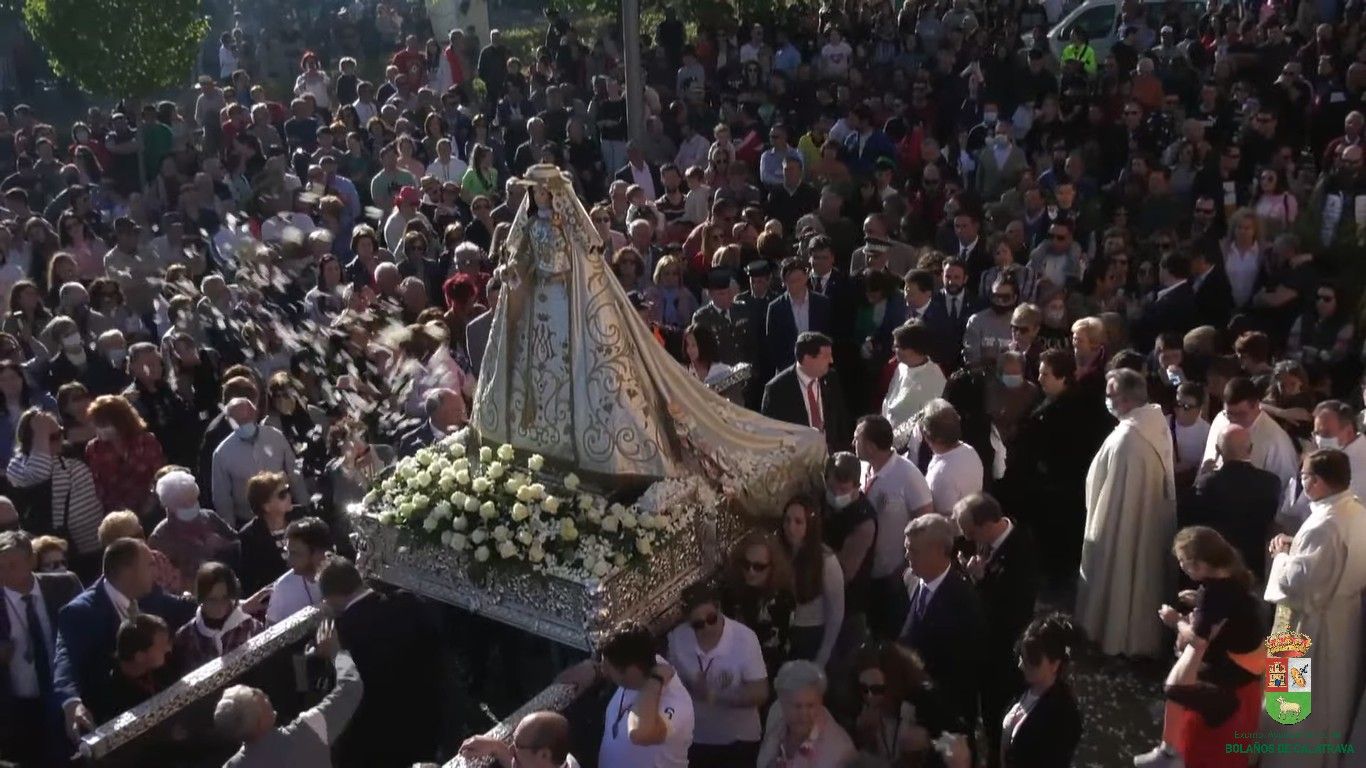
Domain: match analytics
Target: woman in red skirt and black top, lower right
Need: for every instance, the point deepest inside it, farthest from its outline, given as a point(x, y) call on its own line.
point(1216, 685)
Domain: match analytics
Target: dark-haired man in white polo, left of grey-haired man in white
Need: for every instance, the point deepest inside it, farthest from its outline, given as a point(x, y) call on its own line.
point(898, 493)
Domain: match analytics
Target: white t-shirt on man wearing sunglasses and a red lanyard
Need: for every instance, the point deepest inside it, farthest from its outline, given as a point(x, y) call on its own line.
point(737, 659)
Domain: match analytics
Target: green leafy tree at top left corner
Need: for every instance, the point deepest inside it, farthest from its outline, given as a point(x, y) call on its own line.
point(120, 49)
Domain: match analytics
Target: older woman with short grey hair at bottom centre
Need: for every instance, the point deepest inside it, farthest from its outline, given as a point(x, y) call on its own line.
point(801, 733)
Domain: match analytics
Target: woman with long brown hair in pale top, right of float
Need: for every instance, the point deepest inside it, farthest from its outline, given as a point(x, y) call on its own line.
point(818, 583)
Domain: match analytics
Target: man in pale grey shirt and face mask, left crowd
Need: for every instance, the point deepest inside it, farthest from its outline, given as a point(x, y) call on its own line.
point(249, 450)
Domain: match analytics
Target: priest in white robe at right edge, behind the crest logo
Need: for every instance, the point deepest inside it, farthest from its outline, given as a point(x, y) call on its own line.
point(1318, 581)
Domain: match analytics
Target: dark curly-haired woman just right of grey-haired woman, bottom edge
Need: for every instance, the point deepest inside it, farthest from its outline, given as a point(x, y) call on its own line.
point(900, 714)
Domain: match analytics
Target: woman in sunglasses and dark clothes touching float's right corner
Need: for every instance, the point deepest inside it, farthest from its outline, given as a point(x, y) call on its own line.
point(757, 590)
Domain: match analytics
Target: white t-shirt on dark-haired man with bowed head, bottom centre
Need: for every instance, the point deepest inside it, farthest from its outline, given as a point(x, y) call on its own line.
point(619, 752)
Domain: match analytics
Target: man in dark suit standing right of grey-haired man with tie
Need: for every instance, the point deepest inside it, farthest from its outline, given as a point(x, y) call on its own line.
point(1003, 566)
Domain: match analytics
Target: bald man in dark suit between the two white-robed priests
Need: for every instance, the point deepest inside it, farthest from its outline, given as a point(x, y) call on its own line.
point(1238, 499)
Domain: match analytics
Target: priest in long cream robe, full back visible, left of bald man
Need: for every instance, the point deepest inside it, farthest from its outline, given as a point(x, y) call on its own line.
point(1130, 523)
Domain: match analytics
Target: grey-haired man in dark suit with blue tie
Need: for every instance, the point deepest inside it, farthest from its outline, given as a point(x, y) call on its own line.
point(945, 625)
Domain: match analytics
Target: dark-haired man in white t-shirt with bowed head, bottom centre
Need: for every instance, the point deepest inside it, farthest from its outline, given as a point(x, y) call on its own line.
point(650, 719)
